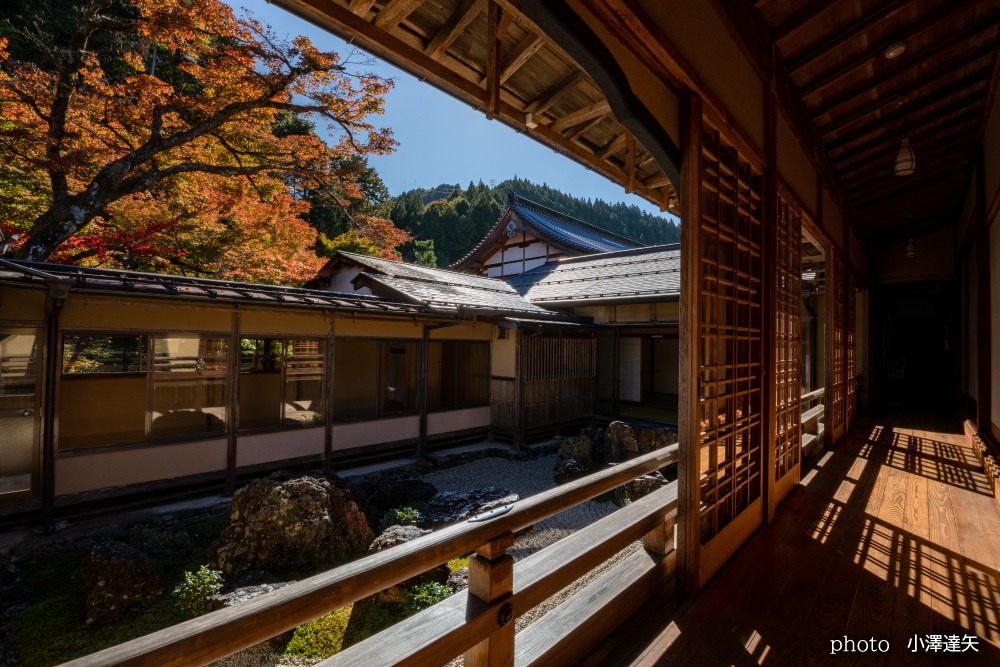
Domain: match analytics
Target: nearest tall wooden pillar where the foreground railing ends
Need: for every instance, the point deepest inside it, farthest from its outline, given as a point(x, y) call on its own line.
point(689, 432)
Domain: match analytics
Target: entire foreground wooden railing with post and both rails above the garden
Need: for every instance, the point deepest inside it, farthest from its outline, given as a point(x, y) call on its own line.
point(477, 622)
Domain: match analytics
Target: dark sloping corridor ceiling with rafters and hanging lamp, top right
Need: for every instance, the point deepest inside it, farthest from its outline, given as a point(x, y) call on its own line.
point(862, 104)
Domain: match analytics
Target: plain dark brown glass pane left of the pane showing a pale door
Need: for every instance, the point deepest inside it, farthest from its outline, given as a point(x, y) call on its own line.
point(355, 371)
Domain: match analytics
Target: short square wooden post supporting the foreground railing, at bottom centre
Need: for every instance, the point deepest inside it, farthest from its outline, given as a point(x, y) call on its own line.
point(491, 579)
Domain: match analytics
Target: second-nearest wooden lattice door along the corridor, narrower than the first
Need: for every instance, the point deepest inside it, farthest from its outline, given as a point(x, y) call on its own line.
point(786, 439)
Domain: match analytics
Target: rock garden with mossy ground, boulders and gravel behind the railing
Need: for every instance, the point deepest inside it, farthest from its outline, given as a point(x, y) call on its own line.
point(72, 596)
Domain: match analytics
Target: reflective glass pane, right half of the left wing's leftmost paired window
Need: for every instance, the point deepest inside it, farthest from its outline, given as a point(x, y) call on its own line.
point(189, 385)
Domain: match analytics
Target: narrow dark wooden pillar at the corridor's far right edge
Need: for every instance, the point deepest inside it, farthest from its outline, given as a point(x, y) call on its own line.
point(984, 317)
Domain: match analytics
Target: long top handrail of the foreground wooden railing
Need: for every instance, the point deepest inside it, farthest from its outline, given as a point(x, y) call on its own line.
point(223, 632)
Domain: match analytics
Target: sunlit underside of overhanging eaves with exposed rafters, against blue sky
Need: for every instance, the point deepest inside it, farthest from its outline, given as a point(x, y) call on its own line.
point(491, 56)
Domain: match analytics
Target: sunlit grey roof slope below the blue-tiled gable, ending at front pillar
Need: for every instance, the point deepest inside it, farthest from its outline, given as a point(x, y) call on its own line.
point(631, 274)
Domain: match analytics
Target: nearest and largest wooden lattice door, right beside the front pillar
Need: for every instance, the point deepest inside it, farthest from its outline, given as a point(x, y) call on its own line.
point(729, 340)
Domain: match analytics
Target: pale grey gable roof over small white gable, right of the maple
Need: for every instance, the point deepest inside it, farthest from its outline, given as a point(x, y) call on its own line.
point(438, 289)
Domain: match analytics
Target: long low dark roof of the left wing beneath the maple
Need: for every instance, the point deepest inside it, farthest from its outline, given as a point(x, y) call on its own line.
point(108, 281)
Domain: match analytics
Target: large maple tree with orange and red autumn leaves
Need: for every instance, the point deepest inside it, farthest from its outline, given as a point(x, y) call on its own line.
point(161, 151)
